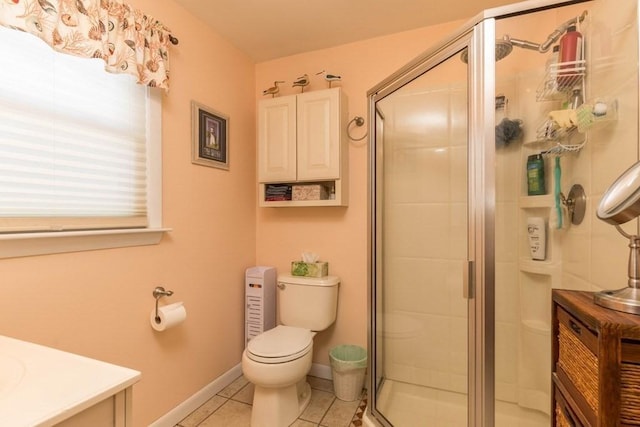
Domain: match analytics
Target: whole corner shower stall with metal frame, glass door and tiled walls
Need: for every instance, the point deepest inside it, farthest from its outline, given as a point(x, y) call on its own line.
point(460, 312)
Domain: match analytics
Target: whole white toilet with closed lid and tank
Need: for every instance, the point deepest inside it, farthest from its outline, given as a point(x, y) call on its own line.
point(278, 360)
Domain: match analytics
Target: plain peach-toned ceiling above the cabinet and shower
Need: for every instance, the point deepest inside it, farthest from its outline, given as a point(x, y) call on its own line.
point(268, 29)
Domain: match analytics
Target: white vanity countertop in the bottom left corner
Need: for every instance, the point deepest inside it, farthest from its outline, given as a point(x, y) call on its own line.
point(41, 386)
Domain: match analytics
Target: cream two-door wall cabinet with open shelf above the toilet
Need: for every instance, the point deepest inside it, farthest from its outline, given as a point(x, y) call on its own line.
point(302, 142)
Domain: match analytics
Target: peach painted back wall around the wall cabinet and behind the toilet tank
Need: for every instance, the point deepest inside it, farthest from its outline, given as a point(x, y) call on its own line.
point(337, 234)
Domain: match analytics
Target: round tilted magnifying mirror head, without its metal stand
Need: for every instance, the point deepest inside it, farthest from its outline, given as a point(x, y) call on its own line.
point(621, 202)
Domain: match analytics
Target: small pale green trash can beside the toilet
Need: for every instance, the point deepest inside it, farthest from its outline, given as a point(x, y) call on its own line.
point(348, 367)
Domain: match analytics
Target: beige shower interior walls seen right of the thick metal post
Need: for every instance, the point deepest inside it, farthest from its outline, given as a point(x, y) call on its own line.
point(581, 256)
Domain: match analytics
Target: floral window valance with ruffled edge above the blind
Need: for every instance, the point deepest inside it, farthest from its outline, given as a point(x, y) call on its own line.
point(125, 38)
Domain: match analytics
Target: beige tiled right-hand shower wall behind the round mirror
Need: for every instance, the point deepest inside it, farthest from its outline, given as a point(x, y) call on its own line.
point(595, 254)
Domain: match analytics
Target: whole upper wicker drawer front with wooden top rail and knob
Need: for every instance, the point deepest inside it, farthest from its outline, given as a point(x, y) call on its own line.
point(577, 357)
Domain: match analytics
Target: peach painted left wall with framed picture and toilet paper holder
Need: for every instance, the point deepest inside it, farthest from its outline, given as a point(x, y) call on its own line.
point(97, 303)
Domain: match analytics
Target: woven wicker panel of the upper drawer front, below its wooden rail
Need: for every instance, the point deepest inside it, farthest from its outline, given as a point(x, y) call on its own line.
point(580, 365)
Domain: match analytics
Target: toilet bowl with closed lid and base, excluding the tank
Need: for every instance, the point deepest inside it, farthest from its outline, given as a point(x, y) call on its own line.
point(277, 363)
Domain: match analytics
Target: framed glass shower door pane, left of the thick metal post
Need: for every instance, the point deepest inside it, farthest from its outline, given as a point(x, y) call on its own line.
point(421, 233)
